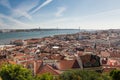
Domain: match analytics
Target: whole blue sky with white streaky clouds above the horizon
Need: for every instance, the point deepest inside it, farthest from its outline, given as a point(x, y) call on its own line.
point(62, 14)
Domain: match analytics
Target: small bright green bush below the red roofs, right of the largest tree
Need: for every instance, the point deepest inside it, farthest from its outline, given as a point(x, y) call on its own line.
point(46, 76)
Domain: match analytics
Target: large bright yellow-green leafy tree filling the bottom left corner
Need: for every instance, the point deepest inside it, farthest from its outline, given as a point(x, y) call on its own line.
point(15, 72)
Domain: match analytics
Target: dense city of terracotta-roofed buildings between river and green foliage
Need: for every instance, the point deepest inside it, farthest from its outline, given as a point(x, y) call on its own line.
point(96, 50)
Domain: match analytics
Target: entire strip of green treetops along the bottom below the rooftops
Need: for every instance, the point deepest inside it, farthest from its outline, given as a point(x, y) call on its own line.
point(17, 72)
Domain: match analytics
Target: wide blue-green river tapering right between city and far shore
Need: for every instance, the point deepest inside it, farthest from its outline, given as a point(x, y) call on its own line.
point(5, 38)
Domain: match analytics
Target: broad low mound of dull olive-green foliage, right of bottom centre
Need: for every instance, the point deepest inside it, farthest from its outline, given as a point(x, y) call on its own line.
point(82, 75)
